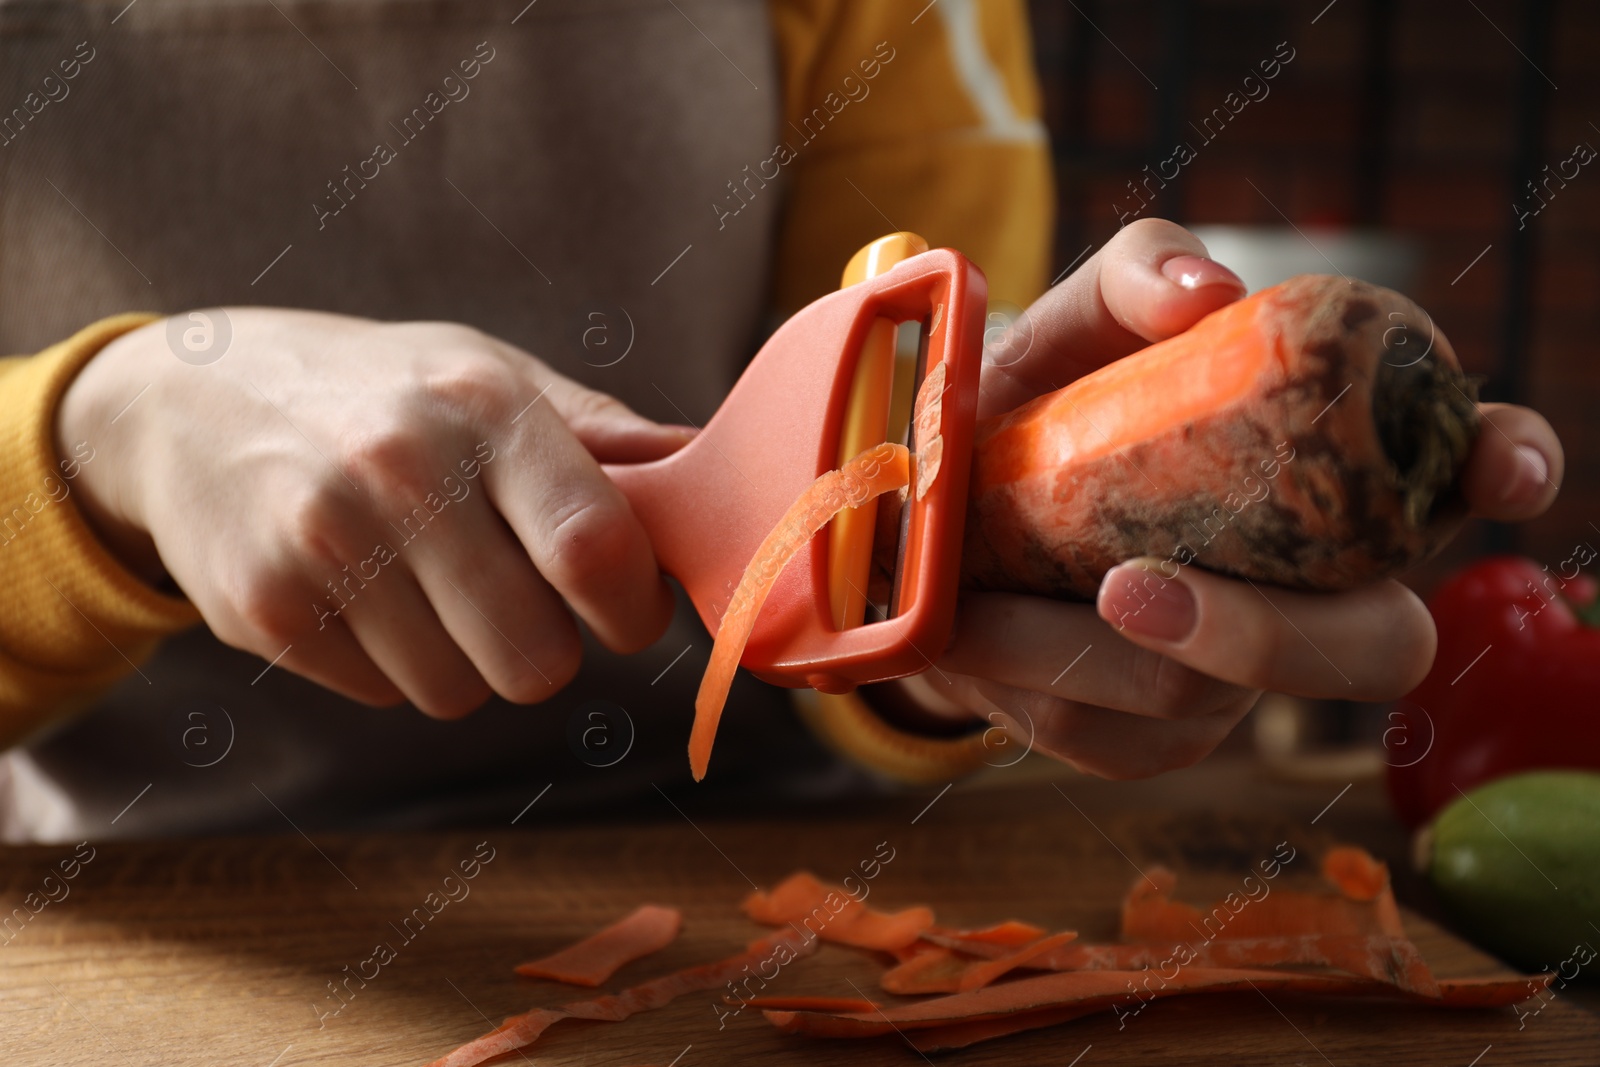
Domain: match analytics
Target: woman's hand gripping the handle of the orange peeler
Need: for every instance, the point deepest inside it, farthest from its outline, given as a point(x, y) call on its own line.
point(393, 511)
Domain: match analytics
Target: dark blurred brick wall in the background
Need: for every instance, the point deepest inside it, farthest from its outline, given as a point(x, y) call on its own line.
point(1412, 116)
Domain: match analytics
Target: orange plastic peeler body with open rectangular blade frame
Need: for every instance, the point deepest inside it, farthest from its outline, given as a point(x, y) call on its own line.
point(711, 505)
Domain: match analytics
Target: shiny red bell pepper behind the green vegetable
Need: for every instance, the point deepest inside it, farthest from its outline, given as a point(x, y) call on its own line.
point(1516, 684)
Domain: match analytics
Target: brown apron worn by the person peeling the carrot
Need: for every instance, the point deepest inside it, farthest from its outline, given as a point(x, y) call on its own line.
point(535, 170)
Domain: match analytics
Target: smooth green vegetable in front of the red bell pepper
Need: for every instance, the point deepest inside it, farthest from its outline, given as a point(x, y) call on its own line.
point(1518, 868)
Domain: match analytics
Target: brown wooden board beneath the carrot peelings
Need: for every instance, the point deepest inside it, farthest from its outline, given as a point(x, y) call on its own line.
point(223, 951)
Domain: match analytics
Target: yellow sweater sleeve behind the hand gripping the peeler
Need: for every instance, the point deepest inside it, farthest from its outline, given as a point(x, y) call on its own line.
point(73, 620)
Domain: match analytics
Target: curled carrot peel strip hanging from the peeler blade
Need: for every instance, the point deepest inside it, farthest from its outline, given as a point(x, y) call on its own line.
point(866, 478)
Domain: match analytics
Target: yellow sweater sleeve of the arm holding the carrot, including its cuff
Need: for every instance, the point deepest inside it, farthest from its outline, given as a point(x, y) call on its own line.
point(910, 116)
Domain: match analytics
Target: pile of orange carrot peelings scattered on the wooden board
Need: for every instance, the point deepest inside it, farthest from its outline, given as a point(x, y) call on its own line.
point(958, 988)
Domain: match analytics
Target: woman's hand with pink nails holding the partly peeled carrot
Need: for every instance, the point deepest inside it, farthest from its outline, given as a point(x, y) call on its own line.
point(1180, 673)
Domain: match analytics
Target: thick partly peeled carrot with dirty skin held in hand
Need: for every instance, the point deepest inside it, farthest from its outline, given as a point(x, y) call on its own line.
point(1292, 438)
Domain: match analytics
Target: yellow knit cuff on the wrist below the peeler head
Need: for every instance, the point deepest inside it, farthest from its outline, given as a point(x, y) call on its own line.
point(849, 725)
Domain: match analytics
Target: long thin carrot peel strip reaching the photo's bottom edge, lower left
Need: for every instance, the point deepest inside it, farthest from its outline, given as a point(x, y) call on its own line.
point(522, 1031)
